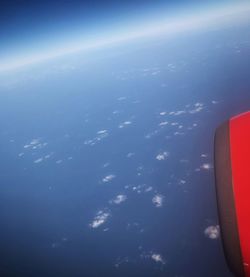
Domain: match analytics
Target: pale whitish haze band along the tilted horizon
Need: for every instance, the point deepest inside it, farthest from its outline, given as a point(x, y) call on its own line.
point(213, 17)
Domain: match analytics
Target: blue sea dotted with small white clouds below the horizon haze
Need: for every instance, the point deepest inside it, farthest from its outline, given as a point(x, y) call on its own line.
point(107, 158)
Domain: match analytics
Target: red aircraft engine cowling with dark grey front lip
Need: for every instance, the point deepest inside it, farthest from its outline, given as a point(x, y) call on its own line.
point(232, 175)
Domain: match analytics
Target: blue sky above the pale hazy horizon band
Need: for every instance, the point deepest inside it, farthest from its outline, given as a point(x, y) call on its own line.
point(29, 27)
